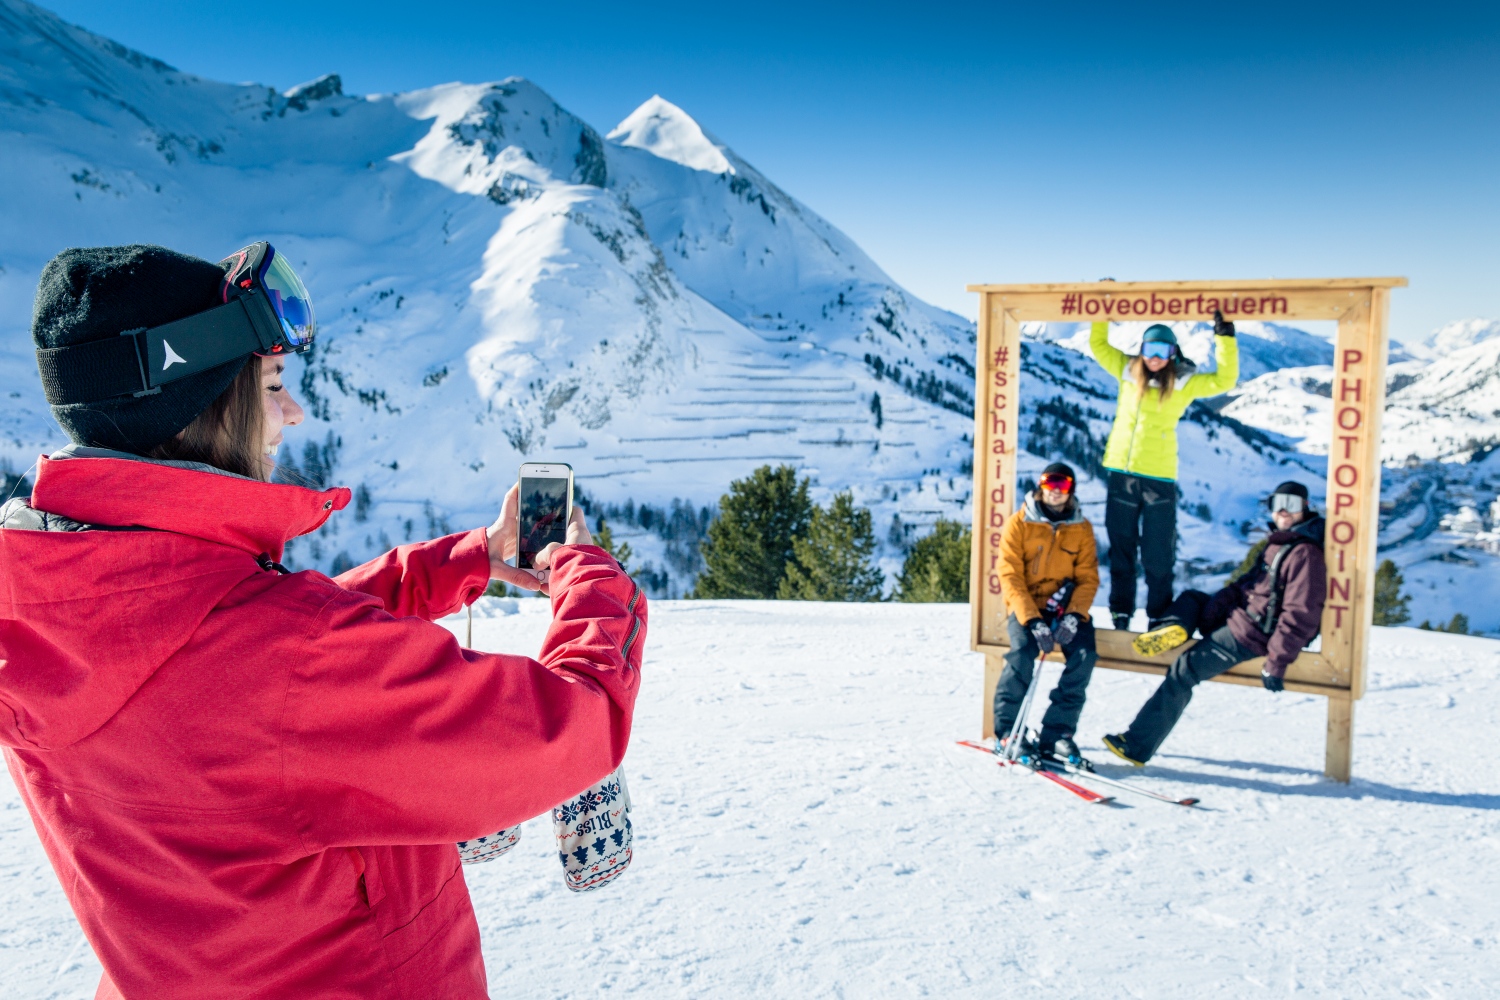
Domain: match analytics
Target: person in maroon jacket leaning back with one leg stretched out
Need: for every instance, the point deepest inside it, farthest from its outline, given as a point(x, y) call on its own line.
point(1273, 611)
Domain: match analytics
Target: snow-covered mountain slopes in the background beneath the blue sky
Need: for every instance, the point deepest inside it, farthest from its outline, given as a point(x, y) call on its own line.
point(499, 283)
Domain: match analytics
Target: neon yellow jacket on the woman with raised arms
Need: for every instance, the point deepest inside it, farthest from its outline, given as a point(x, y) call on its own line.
point(1145, 437)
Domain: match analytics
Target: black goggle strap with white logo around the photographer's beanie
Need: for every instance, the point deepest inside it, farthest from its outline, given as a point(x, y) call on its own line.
point(140, 362)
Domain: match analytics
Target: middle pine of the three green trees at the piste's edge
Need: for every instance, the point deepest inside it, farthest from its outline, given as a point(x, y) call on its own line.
point(833, 561)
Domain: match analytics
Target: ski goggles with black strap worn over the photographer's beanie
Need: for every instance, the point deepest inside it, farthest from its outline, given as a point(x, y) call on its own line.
point(266, 311)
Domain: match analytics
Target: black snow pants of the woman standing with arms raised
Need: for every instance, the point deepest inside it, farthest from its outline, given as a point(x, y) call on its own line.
point(1142, 513)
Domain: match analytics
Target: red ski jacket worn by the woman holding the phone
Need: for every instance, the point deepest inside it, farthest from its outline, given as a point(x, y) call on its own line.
point(251, 785)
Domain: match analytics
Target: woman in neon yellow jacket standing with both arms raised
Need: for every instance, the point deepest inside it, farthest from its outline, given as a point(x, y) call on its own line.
point(1142, 455)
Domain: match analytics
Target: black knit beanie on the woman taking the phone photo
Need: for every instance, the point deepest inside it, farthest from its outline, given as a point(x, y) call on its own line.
point(101, 292)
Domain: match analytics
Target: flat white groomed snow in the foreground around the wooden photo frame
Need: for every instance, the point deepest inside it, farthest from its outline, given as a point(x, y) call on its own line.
point(806, 827)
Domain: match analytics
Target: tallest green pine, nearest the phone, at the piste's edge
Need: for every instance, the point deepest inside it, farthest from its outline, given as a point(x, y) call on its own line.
point(748, 548)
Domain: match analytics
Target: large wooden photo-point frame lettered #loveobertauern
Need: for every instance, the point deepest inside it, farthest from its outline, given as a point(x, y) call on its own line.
point(1360, 307)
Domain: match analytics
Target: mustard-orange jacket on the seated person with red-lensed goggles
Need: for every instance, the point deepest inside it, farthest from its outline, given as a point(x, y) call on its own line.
point(1040, 555)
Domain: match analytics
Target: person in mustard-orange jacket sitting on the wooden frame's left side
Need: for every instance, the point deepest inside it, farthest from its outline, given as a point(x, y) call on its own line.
point(1049, 576)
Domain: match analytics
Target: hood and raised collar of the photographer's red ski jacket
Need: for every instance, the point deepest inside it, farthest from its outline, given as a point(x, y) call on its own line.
point(88, 614)
